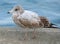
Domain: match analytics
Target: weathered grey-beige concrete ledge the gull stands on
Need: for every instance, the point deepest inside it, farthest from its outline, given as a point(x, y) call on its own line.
point(43, 36)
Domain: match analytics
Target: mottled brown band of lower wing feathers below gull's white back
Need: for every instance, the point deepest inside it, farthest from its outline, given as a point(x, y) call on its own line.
point(32, 24)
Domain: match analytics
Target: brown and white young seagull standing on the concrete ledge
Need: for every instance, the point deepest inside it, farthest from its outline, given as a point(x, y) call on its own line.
point(28, 19)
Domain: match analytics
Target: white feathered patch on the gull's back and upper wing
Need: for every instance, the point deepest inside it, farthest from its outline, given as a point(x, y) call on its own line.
point(29, 15)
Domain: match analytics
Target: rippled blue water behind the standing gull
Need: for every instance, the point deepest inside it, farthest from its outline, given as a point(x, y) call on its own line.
point(47, 8)
